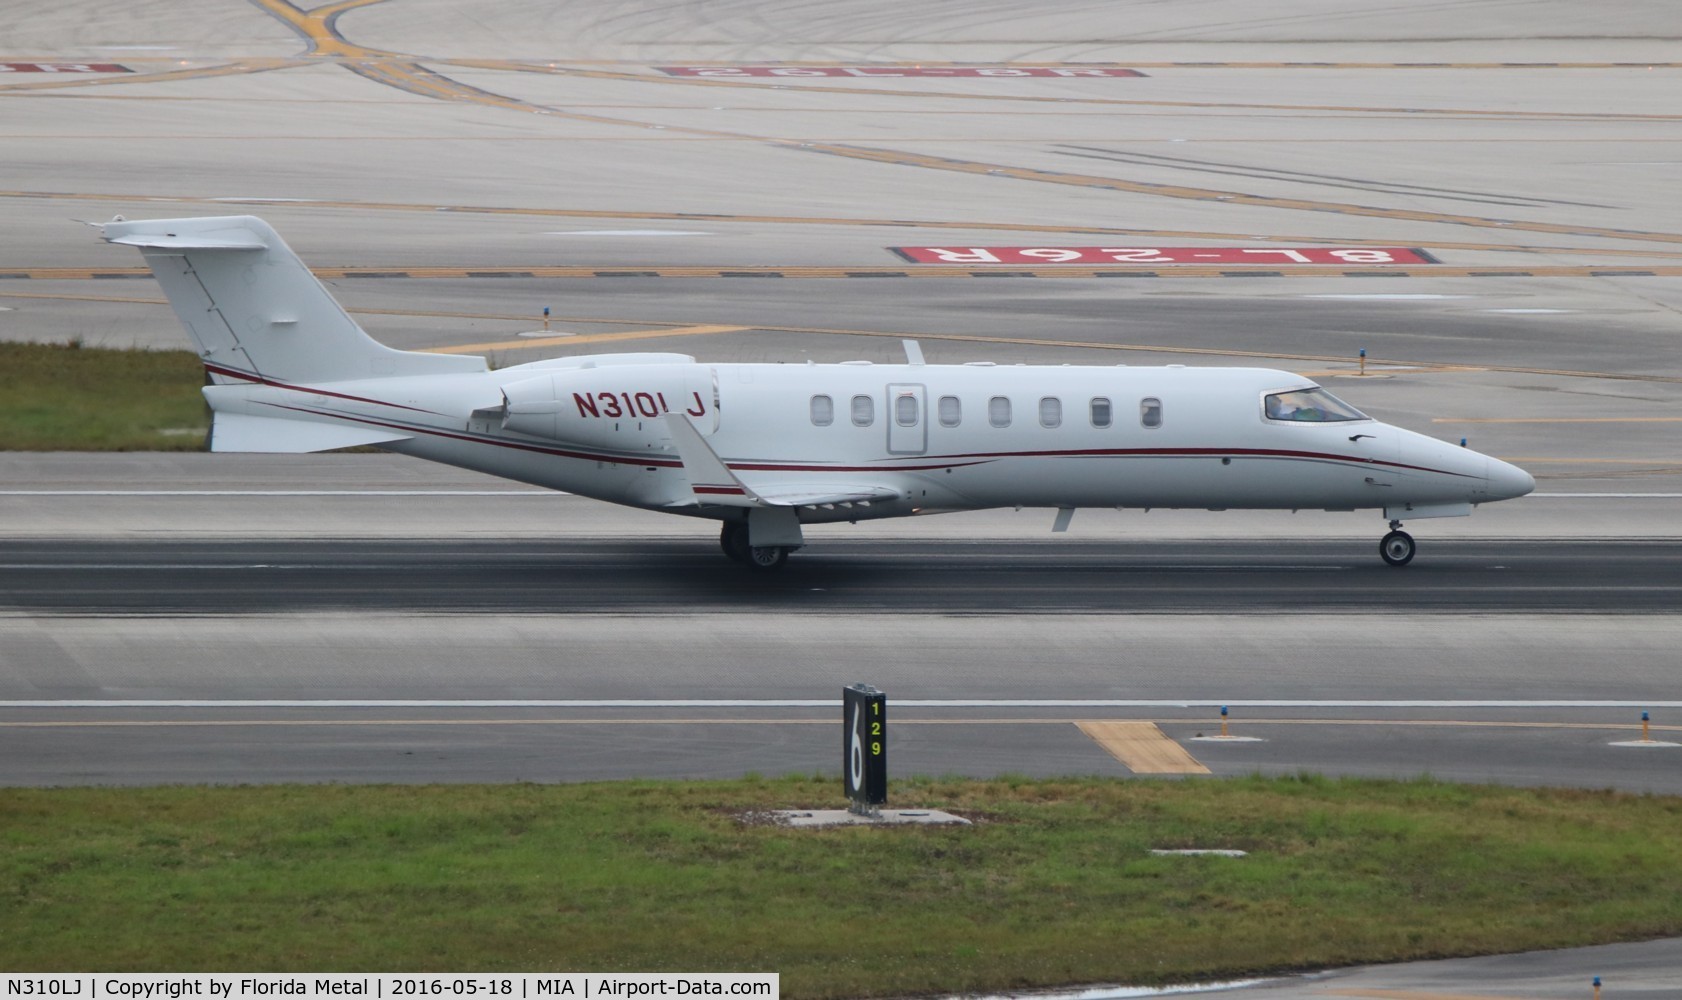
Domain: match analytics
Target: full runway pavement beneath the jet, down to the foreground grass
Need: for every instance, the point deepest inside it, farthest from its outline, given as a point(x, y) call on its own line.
point(241, 629)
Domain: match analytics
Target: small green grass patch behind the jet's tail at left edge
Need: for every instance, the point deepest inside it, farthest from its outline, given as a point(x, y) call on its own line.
point(68, 397)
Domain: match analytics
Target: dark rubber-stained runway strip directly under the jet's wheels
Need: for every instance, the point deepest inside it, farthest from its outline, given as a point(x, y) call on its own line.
point(902, 577)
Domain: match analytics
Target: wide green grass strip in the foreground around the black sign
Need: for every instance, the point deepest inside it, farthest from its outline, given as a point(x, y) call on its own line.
point(1055, 883)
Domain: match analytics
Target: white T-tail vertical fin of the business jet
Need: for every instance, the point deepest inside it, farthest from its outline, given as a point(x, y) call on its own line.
point(255, 310)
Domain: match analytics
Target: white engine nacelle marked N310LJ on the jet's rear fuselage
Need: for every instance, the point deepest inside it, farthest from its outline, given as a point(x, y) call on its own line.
point(616, 408)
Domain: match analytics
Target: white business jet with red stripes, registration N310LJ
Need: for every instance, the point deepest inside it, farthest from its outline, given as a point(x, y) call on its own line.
point(771, 448)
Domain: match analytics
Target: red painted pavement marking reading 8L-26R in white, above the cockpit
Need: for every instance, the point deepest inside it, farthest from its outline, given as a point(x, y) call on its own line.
point(1165, 255)
